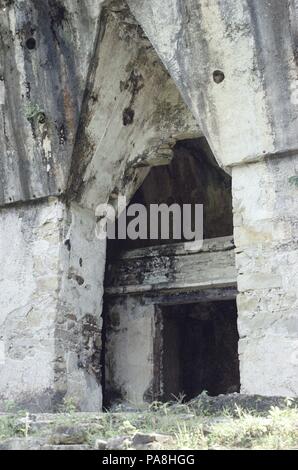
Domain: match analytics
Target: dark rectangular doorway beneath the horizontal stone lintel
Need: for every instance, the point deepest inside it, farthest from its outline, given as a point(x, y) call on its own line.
point(199, 349)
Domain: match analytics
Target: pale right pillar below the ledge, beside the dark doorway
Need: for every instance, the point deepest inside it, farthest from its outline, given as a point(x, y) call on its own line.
point(266, 221)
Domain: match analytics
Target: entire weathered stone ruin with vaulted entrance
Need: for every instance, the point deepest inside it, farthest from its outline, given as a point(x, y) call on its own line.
point(163, 101)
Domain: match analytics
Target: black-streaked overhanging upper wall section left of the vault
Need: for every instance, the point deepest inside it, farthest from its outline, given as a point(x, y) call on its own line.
point(46, 47)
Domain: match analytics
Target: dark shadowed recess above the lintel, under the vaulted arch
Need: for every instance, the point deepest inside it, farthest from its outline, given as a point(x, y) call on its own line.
point(193, 177)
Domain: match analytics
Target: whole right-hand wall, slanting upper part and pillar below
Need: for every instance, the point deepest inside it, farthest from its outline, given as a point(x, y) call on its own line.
point(235, 63)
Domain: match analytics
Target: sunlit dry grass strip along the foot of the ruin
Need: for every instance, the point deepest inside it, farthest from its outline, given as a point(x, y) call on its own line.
point(191, 426)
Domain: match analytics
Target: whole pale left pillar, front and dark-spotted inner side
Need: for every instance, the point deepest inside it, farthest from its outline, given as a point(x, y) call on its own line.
point(52, 268)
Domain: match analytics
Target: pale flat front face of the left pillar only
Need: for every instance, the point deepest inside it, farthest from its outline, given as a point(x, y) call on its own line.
point(29, 254)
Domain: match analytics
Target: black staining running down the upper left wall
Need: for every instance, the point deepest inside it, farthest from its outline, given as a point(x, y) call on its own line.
point(46, 65)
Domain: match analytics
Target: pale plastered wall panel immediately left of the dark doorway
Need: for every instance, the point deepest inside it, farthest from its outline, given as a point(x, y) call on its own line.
point(129, 362)
